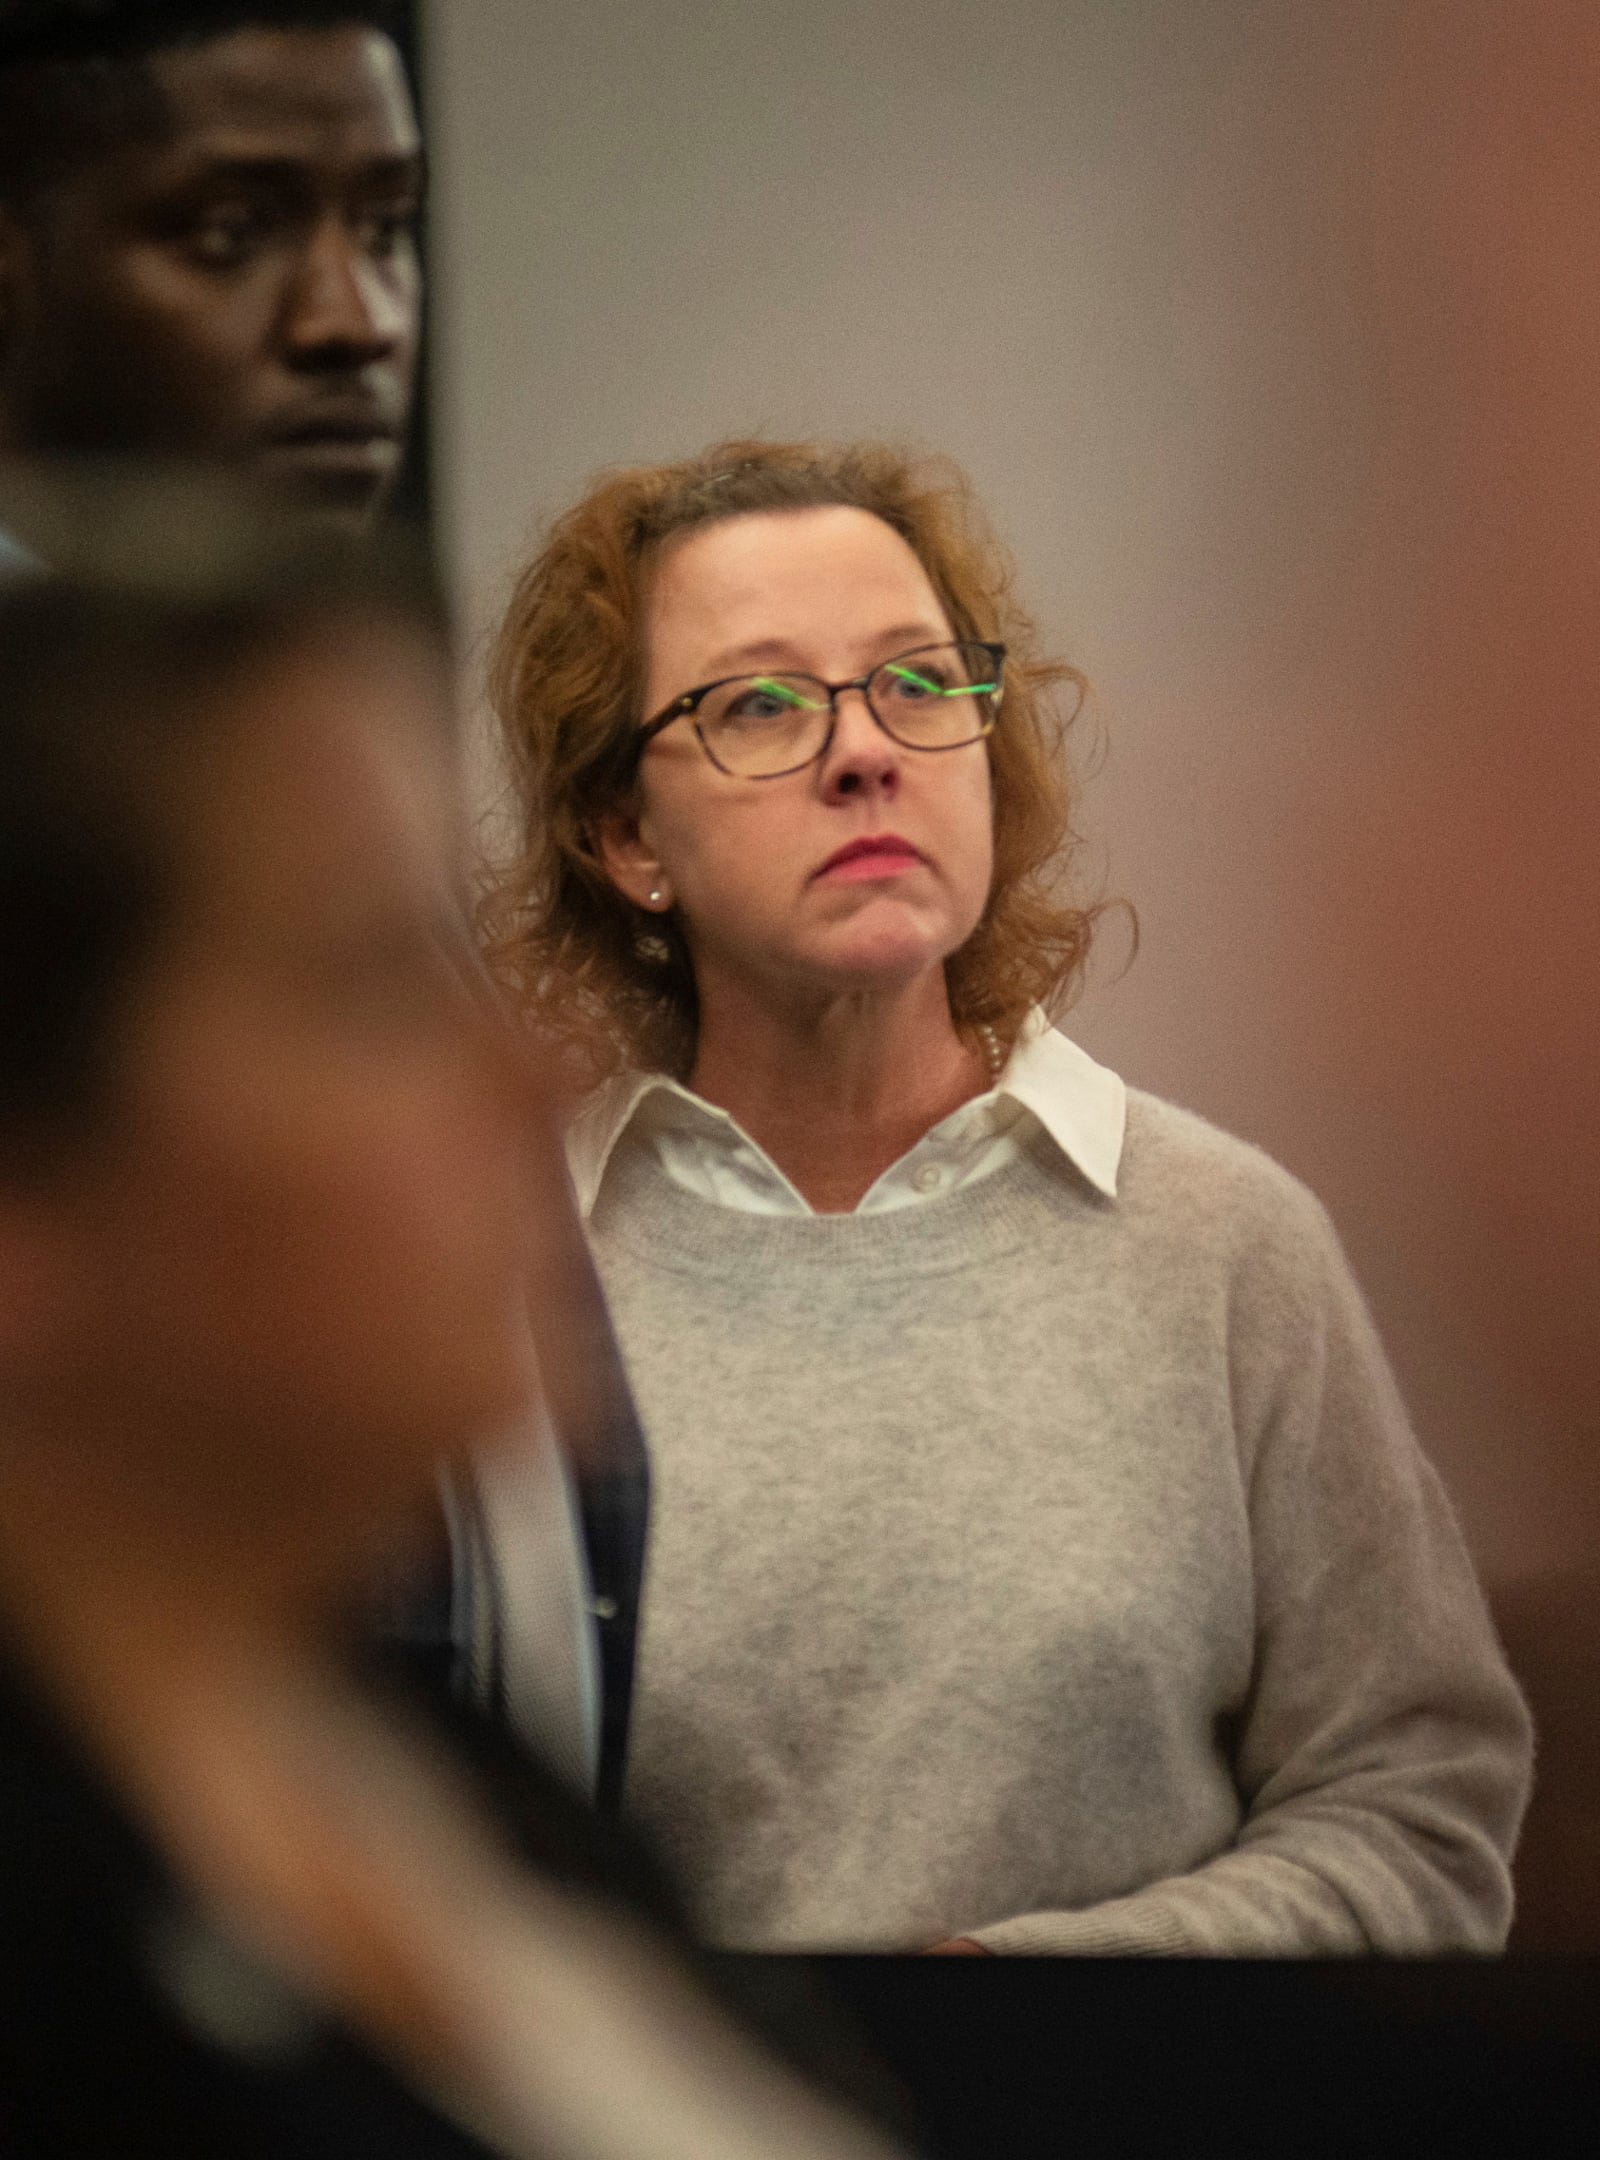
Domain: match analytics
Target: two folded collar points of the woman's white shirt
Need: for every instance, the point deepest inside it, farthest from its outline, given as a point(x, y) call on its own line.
point(1081, 1105)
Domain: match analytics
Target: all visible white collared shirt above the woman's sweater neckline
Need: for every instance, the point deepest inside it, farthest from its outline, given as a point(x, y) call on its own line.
point(1048, 1085)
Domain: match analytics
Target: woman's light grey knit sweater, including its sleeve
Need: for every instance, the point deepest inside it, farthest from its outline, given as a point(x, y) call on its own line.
point(1055, 1571)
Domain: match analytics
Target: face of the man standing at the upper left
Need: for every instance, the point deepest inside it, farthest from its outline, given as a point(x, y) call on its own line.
point(241, 286)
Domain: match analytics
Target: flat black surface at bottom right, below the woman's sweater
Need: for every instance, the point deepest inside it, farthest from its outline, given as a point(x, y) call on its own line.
point(1042, 2057)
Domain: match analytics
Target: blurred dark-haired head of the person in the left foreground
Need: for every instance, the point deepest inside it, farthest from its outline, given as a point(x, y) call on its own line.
point(262, 1135)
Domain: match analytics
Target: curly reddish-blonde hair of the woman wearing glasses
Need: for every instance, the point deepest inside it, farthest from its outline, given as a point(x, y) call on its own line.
point(614, 986)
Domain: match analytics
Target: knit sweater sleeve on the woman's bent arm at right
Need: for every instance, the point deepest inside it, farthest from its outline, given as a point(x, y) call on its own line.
point(1383, 1755)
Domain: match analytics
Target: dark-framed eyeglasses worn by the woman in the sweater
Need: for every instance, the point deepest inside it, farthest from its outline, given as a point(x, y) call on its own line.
point(765, 727)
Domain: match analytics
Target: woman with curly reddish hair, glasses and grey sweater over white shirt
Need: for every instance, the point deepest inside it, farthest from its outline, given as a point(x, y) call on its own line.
point(1042, 1558)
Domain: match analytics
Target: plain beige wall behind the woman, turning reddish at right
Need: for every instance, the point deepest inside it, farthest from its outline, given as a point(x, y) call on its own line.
point(1271, 336)
